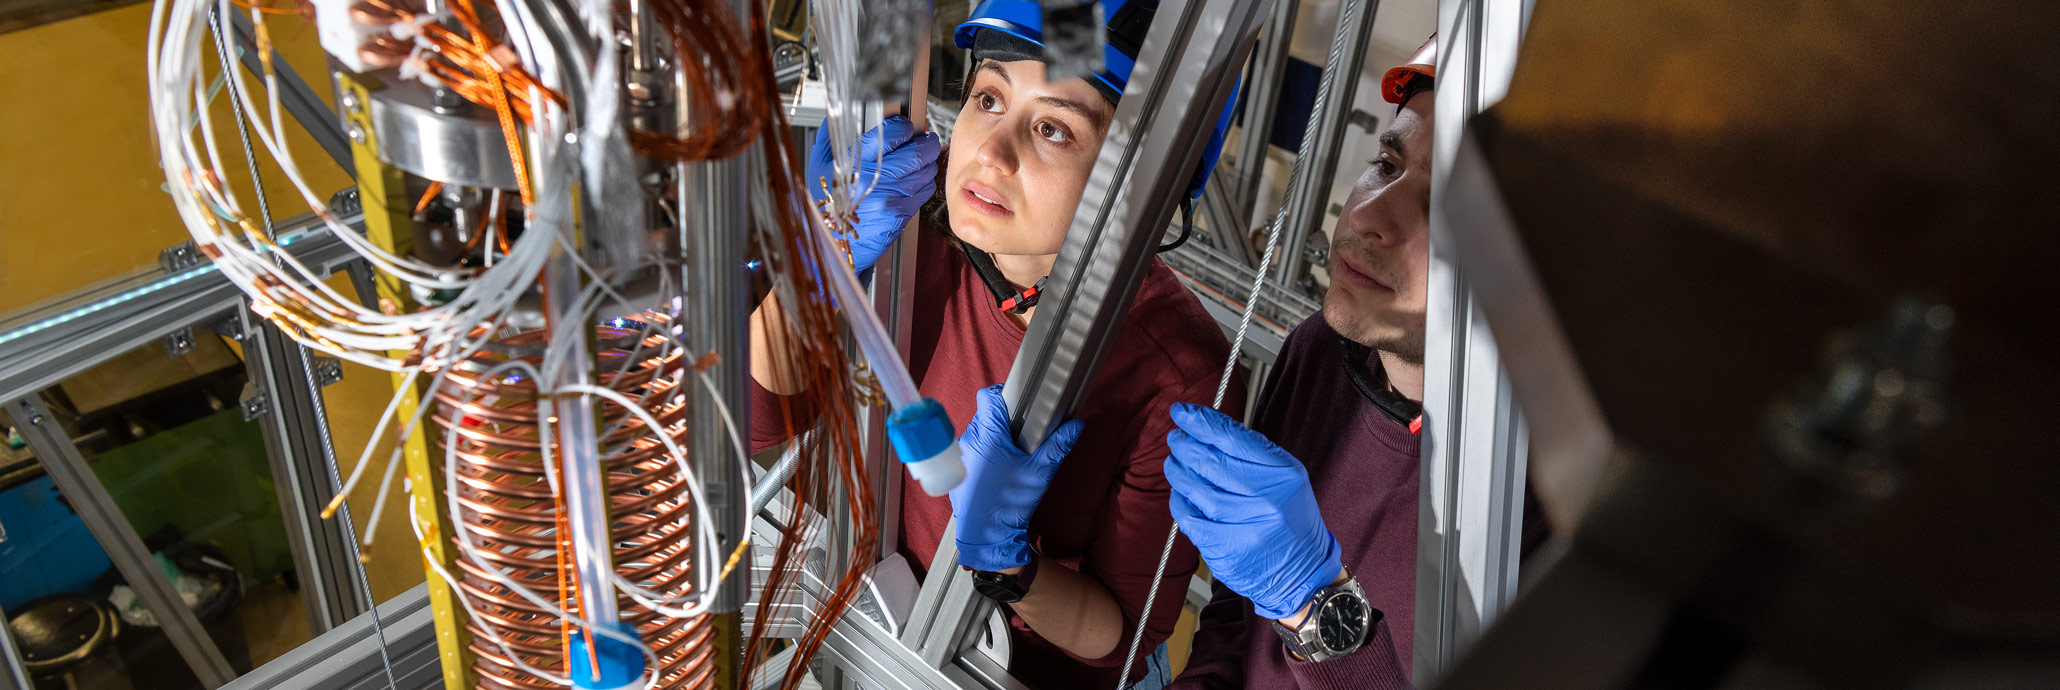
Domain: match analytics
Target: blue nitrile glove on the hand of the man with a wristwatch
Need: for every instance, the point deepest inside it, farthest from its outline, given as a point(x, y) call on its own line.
point(1249, 510)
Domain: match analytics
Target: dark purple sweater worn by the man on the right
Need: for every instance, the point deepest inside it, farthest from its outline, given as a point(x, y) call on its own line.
point(1365, 471)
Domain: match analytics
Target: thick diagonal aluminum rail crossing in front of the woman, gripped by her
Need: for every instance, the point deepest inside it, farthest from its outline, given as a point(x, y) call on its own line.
point(1183, 79)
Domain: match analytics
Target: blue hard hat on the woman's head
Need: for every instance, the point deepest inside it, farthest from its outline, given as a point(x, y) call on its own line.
point(1124, 36)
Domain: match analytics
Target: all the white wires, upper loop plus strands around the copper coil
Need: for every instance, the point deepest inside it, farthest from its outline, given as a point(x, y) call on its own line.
point(436, 339)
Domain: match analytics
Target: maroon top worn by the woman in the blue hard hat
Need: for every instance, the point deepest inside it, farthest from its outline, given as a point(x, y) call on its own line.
point(1105, 512)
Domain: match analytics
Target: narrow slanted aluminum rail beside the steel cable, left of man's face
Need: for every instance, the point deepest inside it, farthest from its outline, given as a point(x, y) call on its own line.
point(1309, 205)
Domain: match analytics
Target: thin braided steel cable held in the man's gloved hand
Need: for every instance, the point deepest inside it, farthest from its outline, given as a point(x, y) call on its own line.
point(1245, 322)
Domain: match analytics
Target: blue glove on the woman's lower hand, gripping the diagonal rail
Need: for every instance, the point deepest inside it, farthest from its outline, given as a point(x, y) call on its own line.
point(1002, 485)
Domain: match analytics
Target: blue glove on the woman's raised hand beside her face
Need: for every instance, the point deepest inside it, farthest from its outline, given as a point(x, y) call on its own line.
point(901, 182)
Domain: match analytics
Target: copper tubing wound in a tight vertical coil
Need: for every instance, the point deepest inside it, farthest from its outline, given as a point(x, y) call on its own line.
point(508, 510)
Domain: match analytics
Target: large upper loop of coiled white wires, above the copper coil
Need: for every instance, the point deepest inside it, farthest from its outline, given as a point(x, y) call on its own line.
point(281, 287)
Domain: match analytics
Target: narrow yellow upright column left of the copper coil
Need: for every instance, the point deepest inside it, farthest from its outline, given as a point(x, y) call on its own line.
point(386, 223)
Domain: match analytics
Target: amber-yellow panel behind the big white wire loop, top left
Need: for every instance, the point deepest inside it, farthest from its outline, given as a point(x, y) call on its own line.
point(83, 156)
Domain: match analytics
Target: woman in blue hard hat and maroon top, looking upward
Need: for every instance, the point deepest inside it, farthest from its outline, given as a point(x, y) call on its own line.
point(1072, 545)
